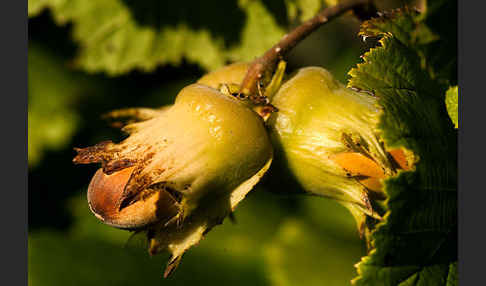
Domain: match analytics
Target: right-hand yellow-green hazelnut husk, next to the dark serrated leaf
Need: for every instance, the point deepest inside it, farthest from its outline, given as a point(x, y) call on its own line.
point(316, 114)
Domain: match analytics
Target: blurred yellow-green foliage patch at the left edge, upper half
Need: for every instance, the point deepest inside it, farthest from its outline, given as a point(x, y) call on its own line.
point(51, 94)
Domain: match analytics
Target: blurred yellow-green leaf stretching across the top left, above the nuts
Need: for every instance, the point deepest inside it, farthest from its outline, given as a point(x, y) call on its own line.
point(116, 36)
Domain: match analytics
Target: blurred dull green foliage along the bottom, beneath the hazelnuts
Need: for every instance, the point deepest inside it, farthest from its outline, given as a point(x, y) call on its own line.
point(271, 244)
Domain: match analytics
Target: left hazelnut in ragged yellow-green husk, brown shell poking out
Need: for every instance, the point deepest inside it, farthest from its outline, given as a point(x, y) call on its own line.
point(181, 171)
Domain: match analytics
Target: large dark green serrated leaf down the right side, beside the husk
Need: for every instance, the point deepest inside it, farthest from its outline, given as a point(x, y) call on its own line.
point(416, 243)
